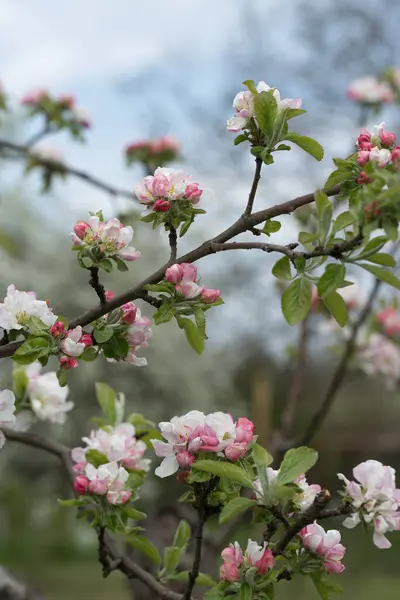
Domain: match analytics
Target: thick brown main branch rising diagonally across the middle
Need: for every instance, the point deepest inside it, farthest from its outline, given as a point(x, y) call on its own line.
point(244, 223)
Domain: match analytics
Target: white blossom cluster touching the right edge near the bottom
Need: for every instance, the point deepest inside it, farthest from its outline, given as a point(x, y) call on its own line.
point(375, 500)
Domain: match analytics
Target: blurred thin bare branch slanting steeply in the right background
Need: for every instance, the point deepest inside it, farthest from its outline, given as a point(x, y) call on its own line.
point(341, 370)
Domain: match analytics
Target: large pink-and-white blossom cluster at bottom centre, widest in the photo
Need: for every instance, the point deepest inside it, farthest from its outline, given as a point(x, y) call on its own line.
point(196, 432)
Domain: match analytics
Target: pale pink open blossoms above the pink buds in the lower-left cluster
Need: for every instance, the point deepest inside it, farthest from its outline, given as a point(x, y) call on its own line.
point(115, 444)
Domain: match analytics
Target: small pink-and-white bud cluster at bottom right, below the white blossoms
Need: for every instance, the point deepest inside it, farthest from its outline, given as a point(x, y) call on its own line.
point(325, 544)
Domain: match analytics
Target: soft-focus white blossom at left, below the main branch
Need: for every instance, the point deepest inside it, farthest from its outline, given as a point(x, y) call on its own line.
point(48, 398)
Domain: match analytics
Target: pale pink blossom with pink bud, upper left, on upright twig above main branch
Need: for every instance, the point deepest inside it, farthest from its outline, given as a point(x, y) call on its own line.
point(110, 238)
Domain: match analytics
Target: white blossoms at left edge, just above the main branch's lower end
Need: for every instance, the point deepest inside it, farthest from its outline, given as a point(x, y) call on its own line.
point(19, 306)
